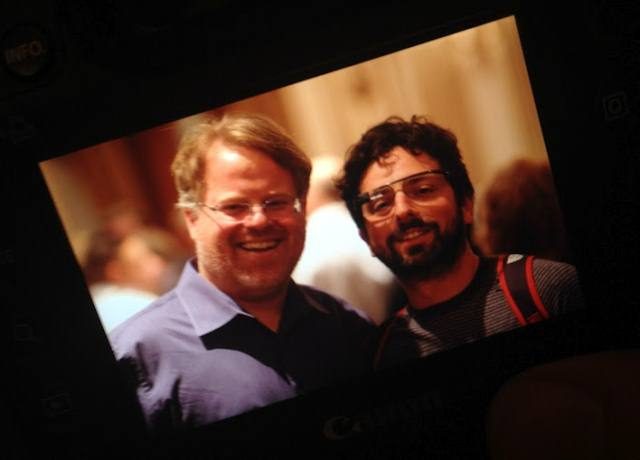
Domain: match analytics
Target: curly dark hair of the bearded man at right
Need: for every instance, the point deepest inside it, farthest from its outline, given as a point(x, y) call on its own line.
point(418, 136)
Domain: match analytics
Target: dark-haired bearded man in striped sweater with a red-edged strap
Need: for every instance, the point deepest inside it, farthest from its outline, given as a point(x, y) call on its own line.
point(409, 192)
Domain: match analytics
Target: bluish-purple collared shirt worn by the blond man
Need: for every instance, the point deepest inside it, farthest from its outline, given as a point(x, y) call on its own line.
point(195, 357)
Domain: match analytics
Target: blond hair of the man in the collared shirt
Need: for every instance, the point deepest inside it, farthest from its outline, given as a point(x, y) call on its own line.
point(243, 130)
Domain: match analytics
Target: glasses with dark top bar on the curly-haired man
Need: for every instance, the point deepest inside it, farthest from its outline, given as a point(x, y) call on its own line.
point(420, 188)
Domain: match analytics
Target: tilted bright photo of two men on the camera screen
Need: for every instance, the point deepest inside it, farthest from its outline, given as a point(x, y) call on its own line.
point(343, 224)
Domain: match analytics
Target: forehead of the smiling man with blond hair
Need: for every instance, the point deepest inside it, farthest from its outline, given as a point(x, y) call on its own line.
point(241, 170)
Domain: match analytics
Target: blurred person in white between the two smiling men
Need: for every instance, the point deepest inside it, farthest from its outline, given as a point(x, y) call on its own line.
point(335, 259)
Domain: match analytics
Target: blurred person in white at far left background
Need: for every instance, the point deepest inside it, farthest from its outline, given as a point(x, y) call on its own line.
point(126, 272)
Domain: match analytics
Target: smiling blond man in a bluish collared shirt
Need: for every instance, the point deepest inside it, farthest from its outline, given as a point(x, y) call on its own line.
point(236, 333)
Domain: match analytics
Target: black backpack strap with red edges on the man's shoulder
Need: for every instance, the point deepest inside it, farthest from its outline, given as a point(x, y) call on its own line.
point(515, 275)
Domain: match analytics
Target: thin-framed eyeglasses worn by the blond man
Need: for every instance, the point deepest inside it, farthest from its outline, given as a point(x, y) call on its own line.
point(278, 207)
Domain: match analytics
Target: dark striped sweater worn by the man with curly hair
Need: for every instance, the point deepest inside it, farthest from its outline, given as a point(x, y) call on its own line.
point(479, 311)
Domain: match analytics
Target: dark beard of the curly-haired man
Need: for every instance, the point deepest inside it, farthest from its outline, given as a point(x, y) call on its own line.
point(426, 260)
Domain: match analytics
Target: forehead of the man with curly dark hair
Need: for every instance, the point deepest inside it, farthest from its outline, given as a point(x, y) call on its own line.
point(398, 163)
